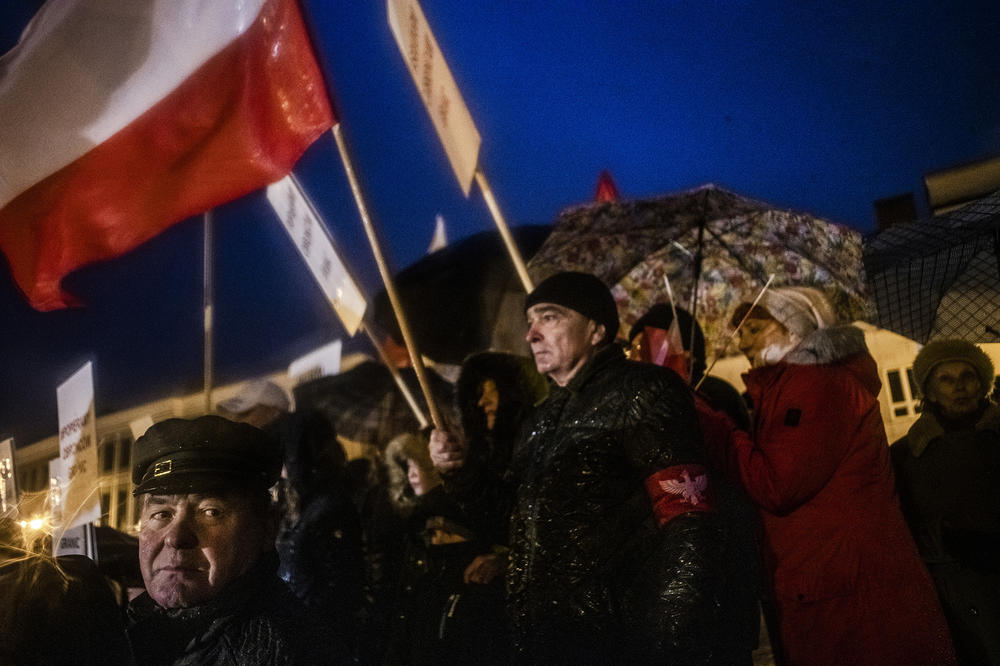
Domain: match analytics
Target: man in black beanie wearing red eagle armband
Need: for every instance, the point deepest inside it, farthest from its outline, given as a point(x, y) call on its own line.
point(614, 535)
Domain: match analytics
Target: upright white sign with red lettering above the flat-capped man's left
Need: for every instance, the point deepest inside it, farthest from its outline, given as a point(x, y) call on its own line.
point(78, 448)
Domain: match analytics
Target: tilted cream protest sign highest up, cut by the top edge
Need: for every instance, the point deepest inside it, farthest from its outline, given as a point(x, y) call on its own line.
point(437, 87)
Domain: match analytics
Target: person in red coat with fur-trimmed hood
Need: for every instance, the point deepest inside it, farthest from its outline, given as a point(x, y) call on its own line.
point(848, 584)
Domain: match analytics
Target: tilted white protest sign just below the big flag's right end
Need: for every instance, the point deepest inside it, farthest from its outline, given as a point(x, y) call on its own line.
point(309, 234)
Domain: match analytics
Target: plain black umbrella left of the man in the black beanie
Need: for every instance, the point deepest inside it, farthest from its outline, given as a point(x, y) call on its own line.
point(453, 297)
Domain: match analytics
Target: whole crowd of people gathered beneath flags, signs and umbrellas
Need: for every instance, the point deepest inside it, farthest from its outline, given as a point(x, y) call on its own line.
point(601, 502)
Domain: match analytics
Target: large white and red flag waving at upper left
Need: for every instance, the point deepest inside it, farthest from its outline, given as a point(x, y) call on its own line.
point(124, 117)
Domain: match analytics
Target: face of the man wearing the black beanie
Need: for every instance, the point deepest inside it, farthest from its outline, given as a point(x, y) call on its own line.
point(562, 340)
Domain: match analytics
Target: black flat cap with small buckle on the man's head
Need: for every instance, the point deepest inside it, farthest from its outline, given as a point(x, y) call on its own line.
point(195, 455)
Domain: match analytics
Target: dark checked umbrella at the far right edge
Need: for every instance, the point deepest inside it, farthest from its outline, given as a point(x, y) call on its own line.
point(939, 277)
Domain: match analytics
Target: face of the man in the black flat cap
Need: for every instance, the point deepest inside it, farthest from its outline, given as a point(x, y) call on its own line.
point(192, 545)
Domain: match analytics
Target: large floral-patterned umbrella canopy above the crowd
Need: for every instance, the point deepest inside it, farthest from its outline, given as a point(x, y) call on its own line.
point(633, 245)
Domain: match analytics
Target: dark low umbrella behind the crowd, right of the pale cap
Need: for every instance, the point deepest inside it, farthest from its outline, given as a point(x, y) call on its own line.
point(365, 405)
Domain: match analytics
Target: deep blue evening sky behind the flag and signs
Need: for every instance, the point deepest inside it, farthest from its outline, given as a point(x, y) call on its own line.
point(821, 107)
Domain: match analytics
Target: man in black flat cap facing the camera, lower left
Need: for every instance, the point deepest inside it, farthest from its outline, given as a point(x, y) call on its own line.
point(206, 552)
